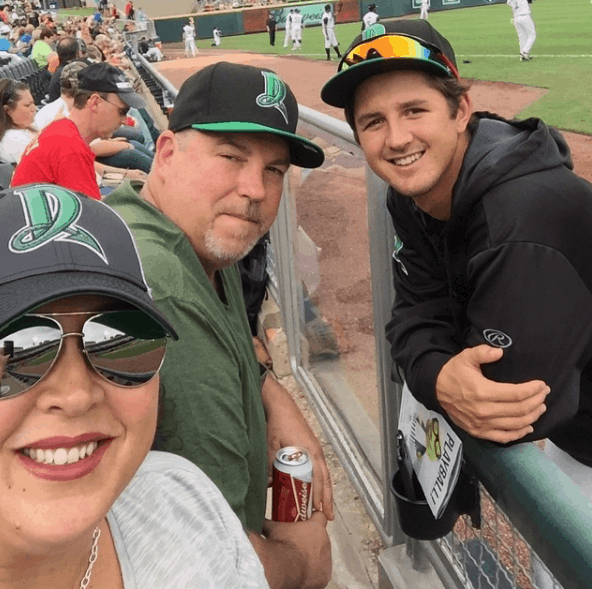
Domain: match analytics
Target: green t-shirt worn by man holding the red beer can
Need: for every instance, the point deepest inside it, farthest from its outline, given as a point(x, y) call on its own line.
point(213, 414)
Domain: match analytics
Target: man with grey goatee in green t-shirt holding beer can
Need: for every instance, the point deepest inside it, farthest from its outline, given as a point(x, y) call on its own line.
point(210, 196)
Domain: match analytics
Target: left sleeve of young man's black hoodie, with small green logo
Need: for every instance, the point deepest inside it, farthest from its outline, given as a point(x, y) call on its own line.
point(424, 330)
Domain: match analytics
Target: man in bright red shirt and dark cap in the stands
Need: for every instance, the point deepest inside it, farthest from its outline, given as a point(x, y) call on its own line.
point(61, 153)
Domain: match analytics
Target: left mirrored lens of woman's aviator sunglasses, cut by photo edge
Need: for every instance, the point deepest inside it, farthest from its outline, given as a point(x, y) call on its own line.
point(28, 348)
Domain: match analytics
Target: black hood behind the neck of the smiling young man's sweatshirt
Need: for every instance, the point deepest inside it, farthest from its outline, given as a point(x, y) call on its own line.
point(501, 150)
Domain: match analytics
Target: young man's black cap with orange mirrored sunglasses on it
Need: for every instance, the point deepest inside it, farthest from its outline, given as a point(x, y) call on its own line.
point(383, 47)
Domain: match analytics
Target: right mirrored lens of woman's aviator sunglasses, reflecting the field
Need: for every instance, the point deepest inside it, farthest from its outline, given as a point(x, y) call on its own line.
point(125, 347)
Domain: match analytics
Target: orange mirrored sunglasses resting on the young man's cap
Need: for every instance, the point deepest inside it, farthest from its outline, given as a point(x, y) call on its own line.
point(400, 47)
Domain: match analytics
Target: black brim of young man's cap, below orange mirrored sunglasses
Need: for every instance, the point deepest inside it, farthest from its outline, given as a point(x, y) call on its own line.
point(339, 89)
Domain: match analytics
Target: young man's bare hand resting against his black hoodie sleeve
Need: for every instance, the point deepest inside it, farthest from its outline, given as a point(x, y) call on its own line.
point(500, 412)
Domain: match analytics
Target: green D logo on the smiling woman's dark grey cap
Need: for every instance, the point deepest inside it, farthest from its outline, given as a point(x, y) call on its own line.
point(51, 213)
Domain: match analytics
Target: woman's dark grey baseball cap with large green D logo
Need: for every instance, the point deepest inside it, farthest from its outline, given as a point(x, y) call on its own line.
point(56, 243)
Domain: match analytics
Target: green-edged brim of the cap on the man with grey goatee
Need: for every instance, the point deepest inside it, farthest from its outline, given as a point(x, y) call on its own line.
point(303, 153)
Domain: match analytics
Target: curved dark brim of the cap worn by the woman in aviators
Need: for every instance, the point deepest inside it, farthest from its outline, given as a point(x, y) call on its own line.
point(27, 293)
